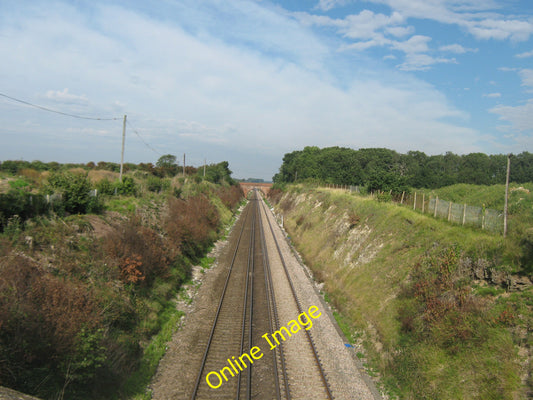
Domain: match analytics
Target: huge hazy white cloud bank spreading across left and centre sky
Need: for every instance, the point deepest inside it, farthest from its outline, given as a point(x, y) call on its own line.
point(198, 90)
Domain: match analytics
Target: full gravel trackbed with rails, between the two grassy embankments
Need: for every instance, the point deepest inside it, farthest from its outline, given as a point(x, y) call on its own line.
point(258, 329)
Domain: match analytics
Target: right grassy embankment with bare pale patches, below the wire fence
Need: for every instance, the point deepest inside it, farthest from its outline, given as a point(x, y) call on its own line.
point(404, 285)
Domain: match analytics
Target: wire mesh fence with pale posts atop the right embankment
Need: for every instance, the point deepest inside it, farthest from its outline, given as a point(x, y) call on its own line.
point(461, 214)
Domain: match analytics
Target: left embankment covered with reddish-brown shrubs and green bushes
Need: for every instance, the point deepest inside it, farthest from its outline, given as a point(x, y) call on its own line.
point(87, 300)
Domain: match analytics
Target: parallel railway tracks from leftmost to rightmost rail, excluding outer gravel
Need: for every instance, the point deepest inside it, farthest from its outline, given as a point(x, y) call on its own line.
point(257, 298)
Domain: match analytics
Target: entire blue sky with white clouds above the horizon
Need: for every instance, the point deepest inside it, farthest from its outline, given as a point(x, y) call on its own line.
point(246, 81)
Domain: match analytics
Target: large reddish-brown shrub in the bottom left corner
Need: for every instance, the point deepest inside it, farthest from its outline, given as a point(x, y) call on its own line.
point(41, 316)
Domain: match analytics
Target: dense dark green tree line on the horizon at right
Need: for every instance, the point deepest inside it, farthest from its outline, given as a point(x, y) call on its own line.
point(384, 169)
